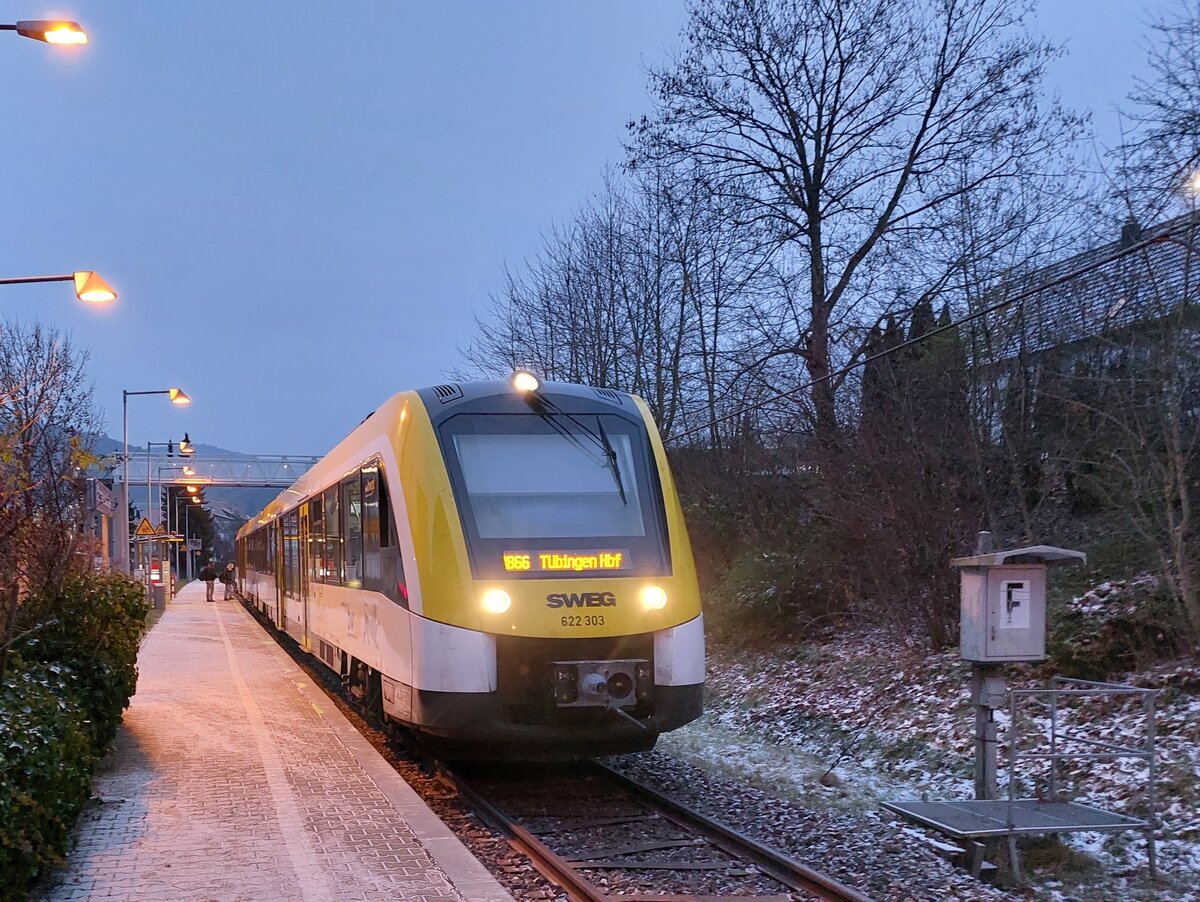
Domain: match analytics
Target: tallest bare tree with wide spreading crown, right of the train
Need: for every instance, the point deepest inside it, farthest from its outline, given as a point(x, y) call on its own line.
point(850, 133)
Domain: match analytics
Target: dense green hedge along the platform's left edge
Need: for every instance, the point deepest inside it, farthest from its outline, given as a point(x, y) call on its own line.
point(61, 707)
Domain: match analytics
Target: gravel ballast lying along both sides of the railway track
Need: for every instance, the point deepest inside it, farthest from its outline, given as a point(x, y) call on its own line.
point(857, 845)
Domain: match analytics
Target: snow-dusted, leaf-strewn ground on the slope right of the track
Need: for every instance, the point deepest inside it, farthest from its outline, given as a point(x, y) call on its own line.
point(883, 720)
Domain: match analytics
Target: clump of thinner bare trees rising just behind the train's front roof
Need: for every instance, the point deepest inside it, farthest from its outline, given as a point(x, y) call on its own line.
point(645, 291)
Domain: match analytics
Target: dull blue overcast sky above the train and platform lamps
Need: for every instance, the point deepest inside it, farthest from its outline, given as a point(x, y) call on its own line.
point(305, 206)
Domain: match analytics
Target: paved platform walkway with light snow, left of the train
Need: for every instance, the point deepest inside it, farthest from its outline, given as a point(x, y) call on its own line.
point(235, 778)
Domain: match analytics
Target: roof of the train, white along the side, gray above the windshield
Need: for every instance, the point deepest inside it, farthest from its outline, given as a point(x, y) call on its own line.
point(442, 402)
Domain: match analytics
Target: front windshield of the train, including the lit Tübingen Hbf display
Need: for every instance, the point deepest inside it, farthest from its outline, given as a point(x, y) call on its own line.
point(556, 495)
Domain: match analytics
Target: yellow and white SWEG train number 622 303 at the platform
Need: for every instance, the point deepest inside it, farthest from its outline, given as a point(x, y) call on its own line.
point(502, 568)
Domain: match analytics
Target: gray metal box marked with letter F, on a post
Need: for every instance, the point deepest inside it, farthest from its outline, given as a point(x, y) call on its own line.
point(1004, 599)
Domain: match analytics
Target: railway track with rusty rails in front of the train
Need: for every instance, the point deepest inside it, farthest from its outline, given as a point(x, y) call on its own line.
point(604, 837)
